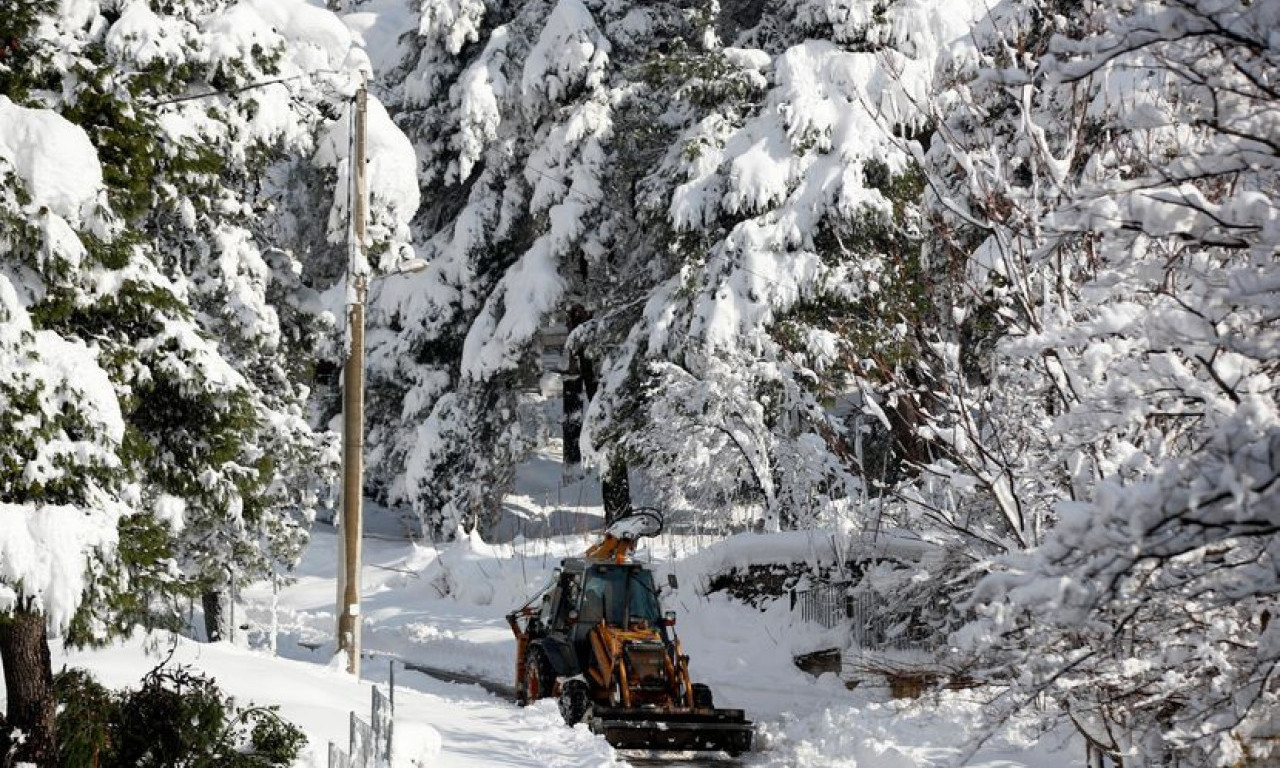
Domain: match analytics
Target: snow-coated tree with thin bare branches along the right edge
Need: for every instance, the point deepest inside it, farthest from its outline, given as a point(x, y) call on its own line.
point(1112, 173)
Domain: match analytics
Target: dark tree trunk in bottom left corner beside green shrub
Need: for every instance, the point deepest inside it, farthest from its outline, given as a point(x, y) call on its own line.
point(29, 680)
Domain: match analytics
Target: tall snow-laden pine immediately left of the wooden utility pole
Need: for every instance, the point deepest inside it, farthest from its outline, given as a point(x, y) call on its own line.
point(216, 124)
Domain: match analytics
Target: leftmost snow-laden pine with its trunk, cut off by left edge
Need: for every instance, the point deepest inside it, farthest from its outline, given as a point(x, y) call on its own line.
point(80, 555)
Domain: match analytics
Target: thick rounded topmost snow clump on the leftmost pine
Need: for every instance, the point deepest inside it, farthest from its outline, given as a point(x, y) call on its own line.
point(53, 157)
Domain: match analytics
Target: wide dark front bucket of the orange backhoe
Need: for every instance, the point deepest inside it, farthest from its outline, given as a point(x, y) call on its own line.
point(725, 730)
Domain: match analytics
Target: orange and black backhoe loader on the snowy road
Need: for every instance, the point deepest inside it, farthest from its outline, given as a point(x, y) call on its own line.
point(597, 639)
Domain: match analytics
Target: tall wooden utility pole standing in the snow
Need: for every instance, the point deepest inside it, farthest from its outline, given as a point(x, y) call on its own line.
point(354, 399)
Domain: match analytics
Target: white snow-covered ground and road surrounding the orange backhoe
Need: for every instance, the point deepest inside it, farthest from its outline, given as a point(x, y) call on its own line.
point(445, 606)
